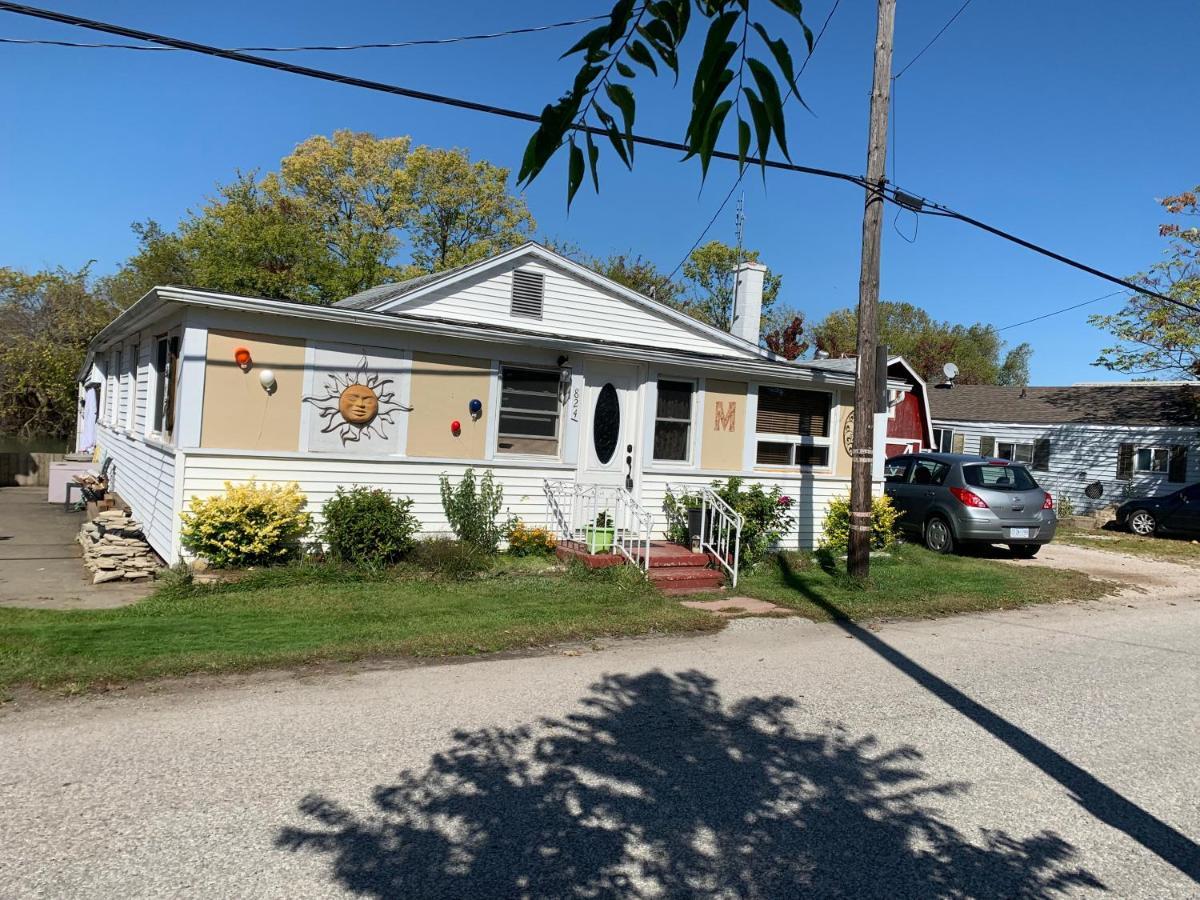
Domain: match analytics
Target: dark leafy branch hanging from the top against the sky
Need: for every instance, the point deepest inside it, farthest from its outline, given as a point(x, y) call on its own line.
point(637, 37)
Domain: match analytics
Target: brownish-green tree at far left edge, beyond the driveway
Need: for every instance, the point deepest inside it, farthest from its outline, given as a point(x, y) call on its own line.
point(46, 322)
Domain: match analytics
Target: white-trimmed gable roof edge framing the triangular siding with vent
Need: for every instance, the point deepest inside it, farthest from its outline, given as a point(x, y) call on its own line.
point(393, 298)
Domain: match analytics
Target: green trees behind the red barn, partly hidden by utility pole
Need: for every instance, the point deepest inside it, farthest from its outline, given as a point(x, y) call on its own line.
point(928, 345)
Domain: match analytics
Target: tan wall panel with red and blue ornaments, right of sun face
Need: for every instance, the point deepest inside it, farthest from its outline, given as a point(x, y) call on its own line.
point(442, 388)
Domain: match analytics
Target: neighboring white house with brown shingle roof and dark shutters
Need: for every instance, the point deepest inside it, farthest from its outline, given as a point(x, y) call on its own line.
point(1097, 445)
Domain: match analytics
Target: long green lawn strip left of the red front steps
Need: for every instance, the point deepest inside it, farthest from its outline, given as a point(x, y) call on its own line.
point(308, 614)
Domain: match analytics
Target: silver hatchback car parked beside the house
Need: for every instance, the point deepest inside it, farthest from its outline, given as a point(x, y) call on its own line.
point(949, 500)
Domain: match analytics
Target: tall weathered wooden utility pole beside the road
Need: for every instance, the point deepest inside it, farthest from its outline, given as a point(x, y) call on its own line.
point(859, 560)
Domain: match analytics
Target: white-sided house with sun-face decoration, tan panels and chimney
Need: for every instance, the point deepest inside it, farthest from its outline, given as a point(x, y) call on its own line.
point(527, 364)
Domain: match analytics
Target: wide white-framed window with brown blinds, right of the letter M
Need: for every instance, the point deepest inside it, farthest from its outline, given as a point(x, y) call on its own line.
point(793, 428)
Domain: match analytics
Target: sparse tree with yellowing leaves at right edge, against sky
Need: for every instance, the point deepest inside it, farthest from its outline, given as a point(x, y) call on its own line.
point(1155, 337)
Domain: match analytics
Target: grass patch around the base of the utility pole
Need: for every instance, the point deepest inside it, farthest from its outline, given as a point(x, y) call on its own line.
point(913, 584)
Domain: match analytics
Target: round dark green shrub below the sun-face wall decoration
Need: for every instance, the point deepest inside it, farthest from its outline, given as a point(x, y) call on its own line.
point(369, 527)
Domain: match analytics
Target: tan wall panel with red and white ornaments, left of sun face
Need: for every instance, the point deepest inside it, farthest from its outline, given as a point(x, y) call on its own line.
point(238, 413)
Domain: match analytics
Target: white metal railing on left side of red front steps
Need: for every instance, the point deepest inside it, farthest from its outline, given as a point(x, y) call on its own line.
point(578, 512)
